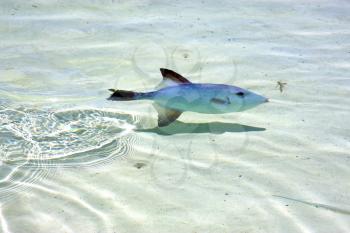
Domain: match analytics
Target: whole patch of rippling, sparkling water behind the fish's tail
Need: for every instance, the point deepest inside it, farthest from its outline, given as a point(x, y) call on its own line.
point(33, 144)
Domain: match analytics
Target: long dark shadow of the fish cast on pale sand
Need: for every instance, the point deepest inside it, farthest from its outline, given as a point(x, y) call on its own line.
point(179, 127)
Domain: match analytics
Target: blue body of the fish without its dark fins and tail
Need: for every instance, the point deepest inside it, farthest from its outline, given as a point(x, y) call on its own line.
point(204, 98)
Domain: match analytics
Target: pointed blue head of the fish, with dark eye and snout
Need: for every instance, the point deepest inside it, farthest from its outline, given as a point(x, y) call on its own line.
point(242, 99)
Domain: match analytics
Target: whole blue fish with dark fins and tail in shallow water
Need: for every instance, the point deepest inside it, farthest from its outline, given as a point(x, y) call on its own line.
point(176, 94)
